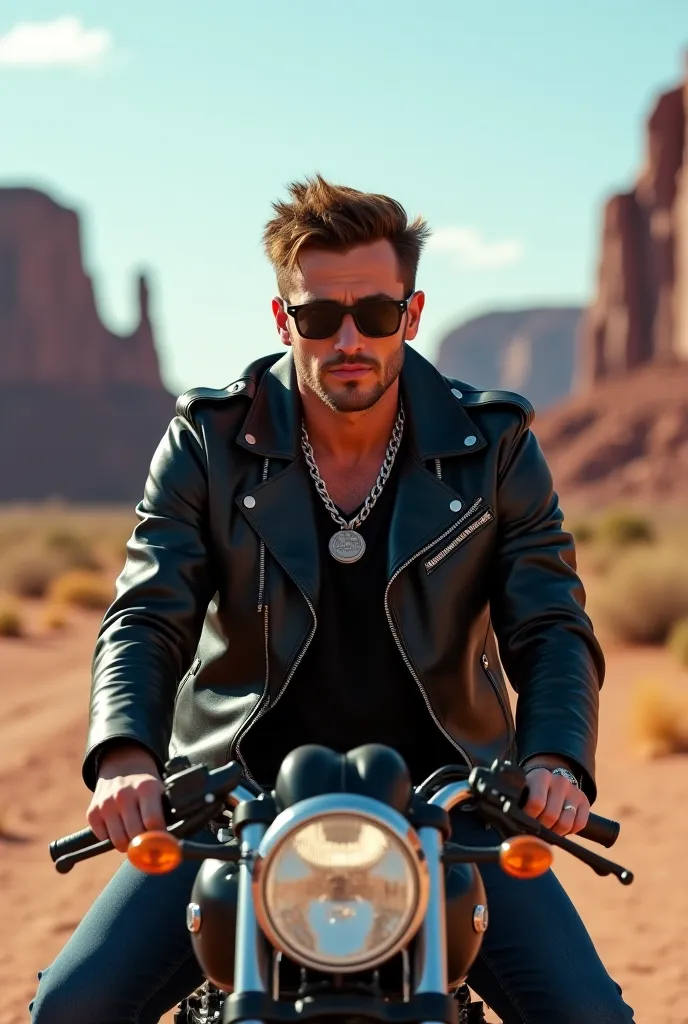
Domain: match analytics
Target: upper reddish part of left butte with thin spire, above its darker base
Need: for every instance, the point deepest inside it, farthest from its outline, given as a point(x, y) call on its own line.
point(51, 331)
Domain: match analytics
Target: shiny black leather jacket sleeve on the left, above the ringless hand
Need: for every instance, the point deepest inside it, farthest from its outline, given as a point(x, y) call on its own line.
point(150, 634)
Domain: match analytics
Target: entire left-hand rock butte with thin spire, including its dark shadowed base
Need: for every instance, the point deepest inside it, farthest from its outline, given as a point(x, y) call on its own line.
point(81, 409)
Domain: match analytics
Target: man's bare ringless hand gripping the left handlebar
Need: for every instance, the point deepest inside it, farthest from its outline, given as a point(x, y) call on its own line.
point(127, 800)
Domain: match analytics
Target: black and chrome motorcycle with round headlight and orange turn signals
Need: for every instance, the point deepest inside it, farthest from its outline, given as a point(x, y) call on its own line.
point(330, 897)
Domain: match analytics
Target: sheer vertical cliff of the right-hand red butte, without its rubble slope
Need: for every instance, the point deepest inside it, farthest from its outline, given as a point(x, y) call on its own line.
point(640, 314)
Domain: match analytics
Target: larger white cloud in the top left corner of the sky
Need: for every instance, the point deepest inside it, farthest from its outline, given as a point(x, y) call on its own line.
point(65, 42)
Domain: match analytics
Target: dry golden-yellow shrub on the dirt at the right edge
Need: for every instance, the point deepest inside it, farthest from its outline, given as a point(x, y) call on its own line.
point(660, 718)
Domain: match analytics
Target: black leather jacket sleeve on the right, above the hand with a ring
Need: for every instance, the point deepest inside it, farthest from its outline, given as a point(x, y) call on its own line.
point(547, 644)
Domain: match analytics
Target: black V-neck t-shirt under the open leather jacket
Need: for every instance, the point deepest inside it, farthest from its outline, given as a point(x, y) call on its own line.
point(353, 687)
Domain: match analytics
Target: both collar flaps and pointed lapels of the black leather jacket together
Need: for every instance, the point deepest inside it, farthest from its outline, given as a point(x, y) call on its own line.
point(283, 514)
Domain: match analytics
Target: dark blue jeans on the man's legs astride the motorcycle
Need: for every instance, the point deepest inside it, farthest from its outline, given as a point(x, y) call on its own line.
point(131, 959)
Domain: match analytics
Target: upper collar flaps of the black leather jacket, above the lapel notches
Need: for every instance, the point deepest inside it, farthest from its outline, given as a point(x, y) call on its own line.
point(439, 424)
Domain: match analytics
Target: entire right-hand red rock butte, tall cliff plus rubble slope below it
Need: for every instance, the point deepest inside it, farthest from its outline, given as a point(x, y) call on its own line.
point(624, 434)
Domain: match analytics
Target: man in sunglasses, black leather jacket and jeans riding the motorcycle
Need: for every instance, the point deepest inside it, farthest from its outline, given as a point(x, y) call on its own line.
point(327, 552)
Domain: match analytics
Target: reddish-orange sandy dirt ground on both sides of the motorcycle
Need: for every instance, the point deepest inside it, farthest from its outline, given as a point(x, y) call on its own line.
point(640, 931)
